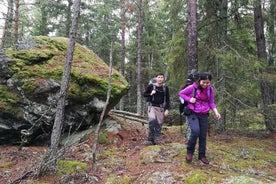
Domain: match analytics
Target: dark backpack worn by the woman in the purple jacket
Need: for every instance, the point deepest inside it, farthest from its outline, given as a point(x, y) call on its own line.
point(182, 103)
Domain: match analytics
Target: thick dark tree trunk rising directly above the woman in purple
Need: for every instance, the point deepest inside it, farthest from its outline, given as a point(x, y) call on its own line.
point(192, 36)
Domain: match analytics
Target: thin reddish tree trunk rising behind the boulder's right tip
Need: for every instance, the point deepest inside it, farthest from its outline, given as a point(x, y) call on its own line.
point(123, 47)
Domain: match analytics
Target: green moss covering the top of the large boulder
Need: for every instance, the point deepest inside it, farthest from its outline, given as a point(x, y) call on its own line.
point(89, 74)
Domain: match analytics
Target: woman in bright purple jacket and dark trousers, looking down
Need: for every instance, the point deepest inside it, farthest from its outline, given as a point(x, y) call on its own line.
point(200, 105)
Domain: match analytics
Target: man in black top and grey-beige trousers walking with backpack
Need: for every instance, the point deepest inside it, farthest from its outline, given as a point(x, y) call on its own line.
point(158, 100)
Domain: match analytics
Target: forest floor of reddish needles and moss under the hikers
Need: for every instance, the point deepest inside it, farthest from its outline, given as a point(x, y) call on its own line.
point(127, 157)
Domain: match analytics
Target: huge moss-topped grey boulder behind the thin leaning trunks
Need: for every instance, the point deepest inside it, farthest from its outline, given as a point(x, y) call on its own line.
point(30, 80)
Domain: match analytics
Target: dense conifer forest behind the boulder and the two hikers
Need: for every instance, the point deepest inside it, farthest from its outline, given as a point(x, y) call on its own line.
point(235, 41)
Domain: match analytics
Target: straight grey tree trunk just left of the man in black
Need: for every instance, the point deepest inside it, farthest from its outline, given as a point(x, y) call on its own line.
point(139, 57)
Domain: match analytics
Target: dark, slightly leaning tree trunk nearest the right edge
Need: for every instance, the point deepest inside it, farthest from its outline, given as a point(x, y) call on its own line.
point(262, 56)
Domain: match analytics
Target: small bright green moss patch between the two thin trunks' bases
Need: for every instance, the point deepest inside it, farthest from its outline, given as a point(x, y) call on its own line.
point(67, 167)
